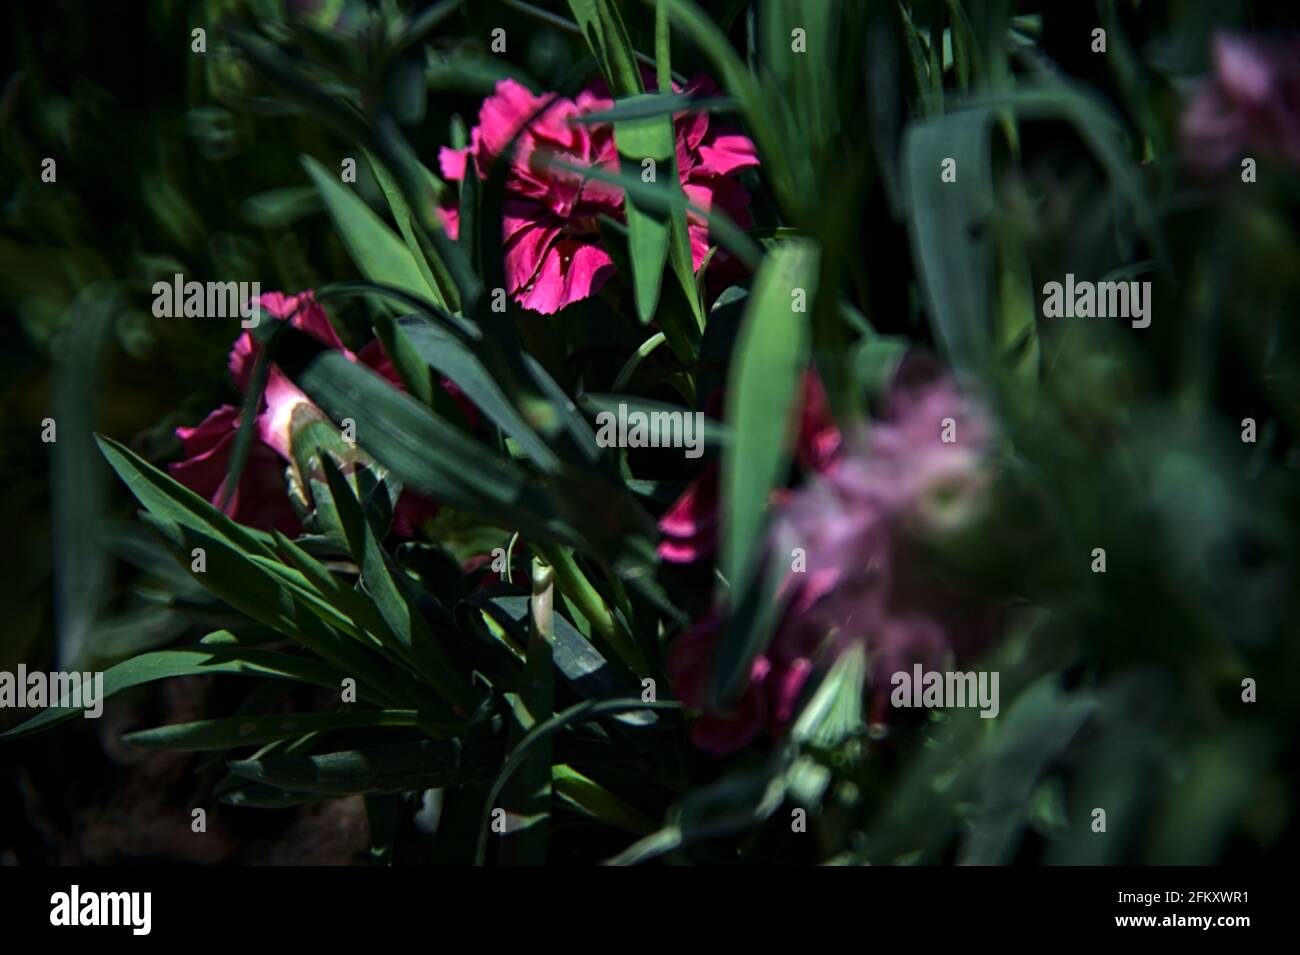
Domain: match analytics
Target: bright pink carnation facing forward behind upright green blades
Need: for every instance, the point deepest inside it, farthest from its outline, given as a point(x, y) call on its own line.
point(554, 255)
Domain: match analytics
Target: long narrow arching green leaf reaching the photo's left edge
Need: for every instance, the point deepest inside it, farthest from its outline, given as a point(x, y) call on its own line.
point(189, 662)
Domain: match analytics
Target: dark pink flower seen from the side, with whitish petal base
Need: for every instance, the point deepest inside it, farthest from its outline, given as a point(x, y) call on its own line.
point(262, 500)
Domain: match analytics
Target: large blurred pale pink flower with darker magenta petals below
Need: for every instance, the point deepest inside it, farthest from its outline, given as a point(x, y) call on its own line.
point(857, 523)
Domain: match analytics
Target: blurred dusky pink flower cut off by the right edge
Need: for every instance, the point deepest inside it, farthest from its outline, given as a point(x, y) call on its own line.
point(1251, 103)
